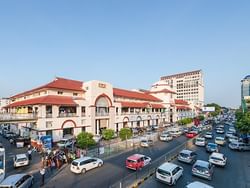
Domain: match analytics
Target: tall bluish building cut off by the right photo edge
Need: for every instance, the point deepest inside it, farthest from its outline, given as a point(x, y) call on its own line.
point(245, 92)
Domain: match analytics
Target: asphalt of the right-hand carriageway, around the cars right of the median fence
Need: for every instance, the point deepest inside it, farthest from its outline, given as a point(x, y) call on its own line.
point(236, 173)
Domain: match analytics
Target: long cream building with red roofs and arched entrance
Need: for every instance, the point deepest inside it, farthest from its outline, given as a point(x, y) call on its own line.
point(66, 106)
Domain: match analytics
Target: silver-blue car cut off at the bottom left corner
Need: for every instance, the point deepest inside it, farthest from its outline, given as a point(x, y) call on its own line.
point(18, 181)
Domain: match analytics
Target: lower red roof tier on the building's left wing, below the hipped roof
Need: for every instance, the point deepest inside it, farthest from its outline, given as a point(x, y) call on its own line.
point(50, 99)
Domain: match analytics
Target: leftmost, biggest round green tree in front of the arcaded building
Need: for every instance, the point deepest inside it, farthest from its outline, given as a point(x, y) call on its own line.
point(85, 140)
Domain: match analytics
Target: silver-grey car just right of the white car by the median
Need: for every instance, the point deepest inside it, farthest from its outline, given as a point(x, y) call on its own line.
point(203, 169)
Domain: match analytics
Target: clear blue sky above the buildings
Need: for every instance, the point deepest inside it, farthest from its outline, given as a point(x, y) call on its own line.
point(129, 43)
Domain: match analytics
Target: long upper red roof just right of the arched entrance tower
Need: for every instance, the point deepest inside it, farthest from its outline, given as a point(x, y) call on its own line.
point(134, 95)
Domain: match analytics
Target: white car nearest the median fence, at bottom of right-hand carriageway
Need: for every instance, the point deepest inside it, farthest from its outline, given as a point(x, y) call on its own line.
point(169, 173)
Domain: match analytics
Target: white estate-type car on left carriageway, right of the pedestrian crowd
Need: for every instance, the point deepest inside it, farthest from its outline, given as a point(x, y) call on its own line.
point(82, 165)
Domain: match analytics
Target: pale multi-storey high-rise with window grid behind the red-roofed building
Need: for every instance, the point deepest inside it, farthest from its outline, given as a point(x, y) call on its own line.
point(188, 86)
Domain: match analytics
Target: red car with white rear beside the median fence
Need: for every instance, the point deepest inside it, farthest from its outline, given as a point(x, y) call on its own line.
point(137, 161)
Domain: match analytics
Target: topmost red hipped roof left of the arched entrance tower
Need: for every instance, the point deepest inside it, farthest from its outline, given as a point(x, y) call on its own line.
point(58, 83)
